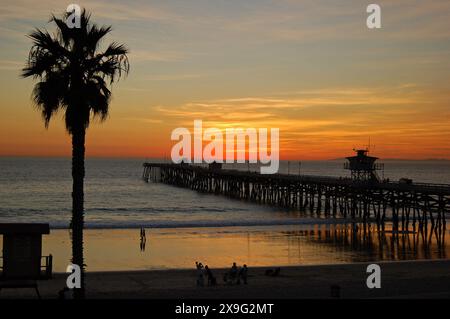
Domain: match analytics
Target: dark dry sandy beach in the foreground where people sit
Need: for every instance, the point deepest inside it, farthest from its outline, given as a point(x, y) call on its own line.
point(405, 279)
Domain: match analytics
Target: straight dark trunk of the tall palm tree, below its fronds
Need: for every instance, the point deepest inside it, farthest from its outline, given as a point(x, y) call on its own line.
point(78, 140)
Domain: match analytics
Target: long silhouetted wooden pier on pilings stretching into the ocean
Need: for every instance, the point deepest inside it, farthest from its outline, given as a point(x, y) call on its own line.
point(415, 205)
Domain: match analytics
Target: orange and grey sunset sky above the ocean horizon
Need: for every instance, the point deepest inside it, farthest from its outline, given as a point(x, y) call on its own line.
point(311, 68)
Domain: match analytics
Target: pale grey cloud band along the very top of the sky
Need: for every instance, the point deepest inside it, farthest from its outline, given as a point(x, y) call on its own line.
point(259, 21)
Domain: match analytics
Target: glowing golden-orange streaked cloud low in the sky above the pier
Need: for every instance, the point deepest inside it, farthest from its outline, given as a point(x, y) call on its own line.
point(318, 117)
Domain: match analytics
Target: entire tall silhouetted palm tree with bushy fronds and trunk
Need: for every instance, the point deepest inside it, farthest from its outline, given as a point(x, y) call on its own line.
point(74, 76)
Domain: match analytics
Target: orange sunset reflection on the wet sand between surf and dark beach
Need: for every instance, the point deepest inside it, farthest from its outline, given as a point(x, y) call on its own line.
point(174, 248)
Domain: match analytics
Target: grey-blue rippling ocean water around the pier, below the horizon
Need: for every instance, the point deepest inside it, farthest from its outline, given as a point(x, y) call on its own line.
point(39, 190)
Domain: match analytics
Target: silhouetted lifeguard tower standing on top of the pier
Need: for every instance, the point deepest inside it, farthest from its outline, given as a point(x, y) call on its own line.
point(363, 167)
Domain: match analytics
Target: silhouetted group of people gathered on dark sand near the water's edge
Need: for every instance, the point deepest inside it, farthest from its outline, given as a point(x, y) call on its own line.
point(234, 275)
